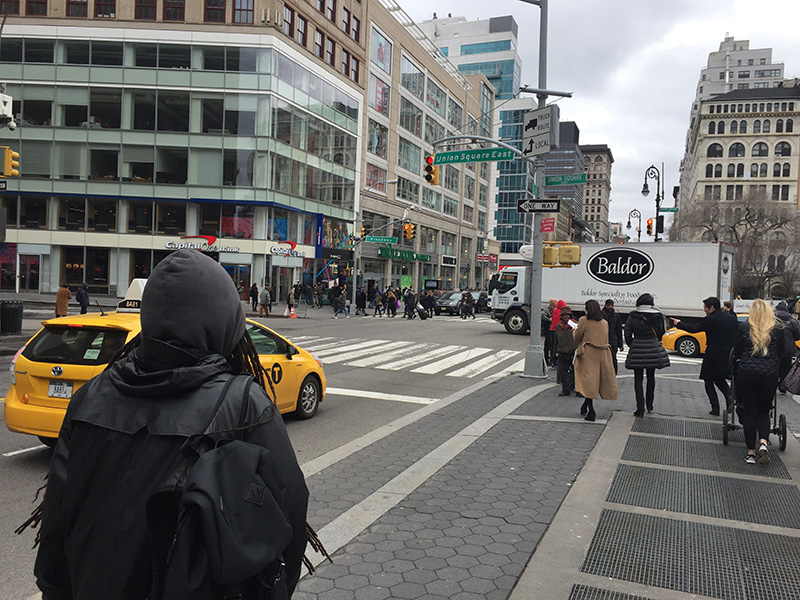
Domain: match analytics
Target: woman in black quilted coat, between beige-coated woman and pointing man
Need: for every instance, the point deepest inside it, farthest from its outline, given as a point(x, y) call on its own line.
point(643, 331)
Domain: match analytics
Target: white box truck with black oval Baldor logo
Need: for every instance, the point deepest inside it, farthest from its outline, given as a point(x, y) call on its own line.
point(678, 275)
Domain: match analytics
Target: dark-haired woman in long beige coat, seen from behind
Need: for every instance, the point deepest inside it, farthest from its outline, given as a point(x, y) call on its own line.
point(594, 367)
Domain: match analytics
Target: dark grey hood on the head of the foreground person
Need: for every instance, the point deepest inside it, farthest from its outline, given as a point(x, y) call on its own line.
point(190, 310)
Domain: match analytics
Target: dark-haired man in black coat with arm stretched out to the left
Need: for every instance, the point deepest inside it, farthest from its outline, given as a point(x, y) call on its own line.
point(720, 328)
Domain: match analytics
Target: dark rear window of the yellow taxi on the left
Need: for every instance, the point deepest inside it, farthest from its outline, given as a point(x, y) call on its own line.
point(75, 345)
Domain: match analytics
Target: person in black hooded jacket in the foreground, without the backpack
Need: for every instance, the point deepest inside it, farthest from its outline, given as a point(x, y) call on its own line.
point(121, 438)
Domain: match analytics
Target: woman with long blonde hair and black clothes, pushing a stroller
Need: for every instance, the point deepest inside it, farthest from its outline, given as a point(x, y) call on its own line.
point(756, 354)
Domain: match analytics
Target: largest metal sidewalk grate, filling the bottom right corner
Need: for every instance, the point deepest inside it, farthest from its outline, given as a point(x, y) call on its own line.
point(695, 558)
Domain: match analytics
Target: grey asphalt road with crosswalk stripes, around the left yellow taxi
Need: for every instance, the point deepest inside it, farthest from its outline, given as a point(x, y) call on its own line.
point(367, 389)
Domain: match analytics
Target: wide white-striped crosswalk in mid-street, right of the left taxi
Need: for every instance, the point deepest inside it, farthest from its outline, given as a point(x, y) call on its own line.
point(449, 360)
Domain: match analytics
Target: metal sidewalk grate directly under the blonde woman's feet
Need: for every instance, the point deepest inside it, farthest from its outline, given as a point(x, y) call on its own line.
point(699, 455)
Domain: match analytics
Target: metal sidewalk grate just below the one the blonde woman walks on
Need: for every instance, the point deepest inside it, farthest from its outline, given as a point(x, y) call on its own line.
point(707, 495)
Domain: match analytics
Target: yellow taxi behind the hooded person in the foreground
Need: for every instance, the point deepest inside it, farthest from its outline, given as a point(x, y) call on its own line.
point(67, 352)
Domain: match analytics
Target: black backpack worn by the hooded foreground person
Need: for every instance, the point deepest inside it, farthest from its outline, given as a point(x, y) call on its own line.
point(220, 532)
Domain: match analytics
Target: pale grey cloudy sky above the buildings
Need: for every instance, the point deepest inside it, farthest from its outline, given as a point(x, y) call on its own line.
point(633, 67)
